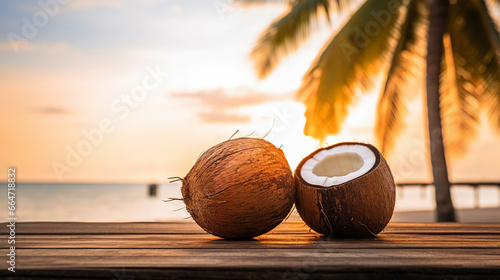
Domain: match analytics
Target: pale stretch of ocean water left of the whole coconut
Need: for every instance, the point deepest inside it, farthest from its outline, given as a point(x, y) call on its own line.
point(94, 202)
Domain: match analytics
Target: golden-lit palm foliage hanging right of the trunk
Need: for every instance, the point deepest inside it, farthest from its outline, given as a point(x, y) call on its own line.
point(475, 46)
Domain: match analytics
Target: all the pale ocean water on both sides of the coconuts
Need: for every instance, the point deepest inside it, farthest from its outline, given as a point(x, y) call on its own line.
point(131, 202)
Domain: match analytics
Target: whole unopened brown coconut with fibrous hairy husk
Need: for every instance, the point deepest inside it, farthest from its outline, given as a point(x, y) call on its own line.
point(239, 189)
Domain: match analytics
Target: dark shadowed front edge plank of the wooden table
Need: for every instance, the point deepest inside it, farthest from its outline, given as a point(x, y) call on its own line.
point(339, 273)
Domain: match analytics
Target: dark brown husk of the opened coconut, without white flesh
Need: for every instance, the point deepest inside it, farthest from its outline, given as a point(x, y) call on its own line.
point(358, 208)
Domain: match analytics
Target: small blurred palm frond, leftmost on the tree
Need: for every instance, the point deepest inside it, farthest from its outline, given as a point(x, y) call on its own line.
point(285, 34)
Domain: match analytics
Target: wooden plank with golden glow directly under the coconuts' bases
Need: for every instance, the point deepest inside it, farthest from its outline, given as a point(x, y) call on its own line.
point(299, 241)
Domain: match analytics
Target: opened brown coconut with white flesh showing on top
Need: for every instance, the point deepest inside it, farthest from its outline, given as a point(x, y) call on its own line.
point(346, 190)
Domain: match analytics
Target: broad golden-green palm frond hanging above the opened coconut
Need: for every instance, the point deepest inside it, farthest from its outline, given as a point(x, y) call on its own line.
point(349, 62)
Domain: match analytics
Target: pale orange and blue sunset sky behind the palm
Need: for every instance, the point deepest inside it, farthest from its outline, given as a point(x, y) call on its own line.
point(85, 94)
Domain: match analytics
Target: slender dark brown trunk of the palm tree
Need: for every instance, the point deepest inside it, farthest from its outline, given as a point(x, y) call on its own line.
point(438, 18)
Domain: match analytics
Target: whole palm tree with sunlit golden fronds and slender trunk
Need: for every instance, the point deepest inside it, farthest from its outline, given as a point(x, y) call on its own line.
point(456, 41)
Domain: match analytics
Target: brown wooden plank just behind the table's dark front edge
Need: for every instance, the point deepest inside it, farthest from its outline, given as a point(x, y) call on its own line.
point(263, 258)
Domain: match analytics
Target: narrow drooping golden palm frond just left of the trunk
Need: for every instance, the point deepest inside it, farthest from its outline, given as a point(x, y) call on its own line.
point(404, 76)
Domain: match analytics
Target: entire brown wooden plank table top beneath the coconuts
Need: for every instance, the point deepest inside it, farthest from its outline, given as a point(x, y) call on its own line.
point(181, 250)
